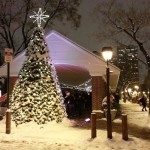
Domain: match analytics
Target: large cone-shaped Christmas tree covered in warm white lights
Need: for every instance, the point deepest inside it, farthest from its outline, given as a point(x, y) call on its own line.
point(37, 95)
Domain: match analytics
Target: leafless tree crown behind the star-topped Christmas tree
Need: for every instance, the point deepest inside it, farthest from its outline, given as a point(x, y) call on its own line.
point(15, 26)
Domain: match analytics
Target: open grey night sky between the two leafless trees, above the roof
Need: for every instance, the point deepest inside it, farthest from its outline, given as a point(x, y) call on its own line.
point(84, 34)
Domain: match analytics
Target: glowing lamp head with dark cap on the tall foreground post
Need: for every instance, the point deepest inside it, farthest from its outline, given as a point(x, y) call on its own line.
point(107, 53)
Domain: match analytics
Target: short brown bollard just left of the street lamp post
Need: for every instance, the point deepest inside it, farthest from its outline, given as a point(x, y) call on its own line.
point(93, 125)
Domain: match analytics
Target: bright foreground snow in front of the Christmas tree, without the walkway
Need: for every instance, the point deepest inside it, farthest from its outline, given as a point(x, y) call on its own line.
point(65, 136)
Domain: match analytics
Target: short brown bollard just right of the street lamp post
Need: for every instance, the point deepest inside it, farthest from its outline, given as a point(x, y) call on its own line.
point(124, 127)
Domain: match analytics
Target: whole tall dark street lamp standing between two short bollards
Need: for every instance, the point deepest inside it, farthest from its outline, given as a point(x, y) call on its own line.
point(107, 54)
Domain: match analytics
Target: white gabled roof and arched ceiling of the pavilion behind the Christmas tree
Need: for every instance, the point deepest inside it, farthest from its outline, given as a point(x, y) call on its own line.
point(74, 64)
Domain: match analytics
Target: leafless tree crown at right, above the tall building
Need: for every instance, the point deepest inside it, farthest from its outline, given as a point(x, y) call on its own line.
point(126, 22)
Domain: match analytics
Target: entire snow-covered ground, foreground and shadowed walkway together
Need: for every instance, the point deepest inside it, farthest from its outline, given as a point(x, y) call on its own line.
point(71, 135)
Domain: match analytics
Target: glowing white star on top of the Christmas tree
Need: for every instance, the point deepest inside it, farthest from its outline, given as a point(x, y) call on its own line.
point(39, 16)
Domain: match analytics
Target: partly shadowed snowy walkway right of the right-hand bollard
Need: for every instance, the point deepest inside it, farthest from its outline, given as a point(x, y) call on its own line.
point(138, 121)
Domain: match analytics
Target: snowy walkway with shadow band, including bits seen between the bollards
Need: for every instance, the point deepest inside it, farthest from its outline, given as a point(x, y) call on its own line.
point(138, 121)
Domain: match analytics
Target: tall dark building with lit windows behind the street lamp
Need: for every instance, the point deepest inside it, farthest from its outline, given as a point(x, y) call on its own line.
point(127, 60)
